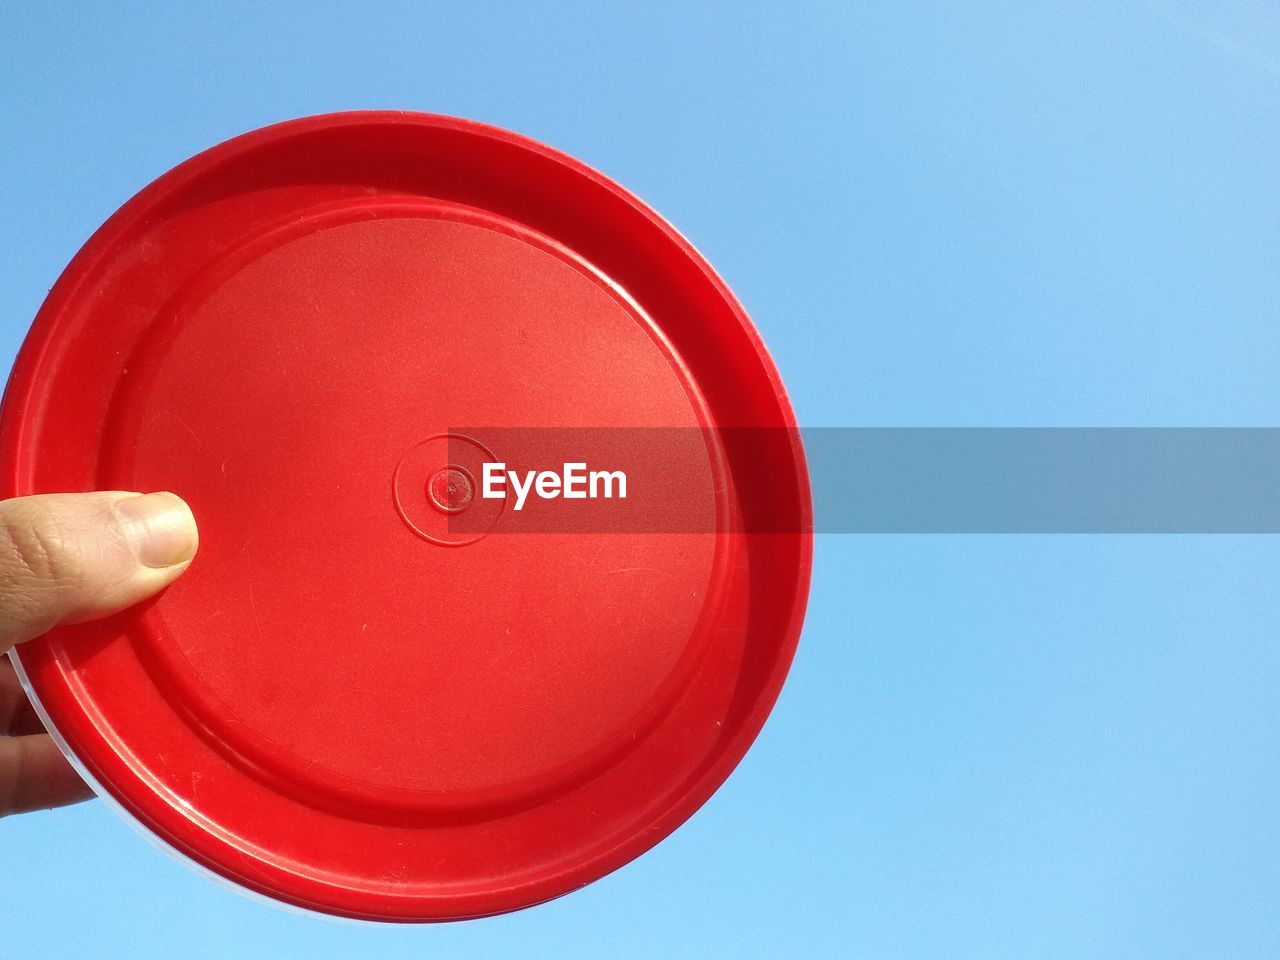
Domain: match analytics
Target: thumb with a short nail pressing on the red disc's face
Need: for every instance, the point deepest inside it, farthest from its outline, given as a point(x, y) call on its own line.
point(72, 557)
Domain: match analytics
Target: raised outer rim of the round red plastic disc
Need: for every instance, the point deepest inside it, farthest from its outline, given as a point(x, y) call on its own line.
point(185, 836)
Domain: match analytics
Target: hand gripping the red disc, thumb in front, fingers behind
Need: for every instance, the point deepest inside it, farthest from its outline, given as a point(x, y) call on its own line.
point(67, 559)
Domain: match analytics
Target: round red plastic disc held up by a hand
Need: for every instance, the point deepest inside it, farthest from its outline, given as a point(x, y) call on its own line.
point(348, 703)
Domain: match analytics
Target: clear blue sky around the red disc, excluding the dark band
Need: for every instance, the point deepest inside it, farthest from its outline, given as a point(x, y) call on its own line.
point(939, 214)
